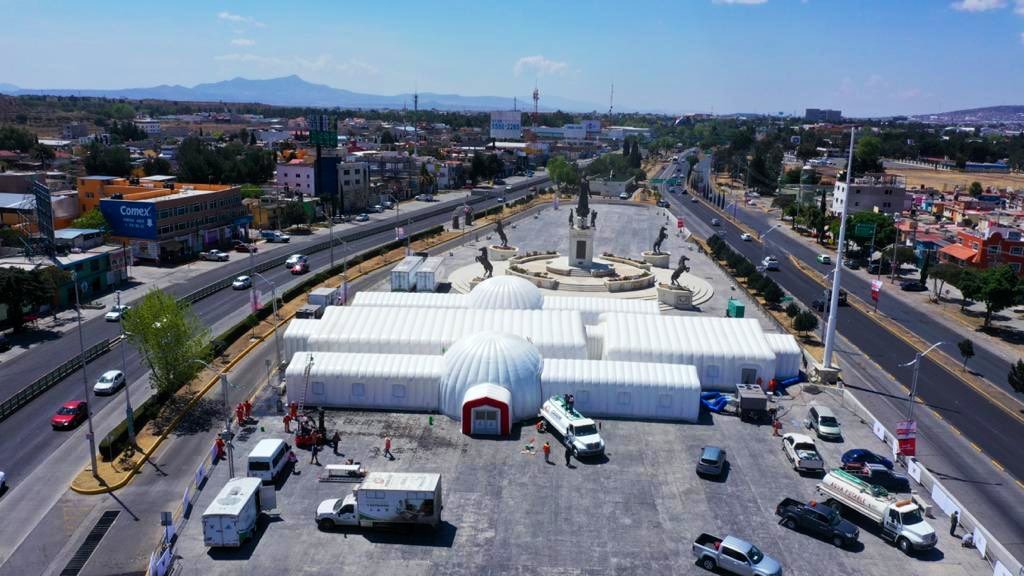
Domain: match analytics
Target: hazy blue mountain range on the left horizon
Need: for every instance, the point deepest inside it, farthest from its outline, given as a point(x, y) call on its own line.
point(292, 91)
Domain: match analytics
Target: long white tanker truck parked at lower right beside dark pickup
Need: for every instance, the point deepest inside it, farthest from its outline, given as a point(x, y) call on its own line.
point(902, 521)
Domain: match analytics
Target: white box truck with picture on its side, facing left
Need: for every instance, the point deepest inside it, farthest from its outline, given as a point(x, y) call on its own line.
point(387, 500)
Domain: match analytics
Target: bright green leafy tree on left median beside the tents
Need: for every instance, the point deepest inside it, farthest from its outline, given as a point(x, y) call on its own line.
point(172, 338)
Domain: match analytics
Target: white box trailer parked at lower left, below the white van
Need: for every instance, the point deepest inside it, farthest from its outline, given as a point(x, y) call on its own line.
point(231, 519)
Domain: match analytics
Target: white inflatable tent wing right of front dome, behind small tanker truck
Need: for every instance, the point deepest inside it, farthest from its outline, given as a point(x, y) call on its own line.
point(626, 390)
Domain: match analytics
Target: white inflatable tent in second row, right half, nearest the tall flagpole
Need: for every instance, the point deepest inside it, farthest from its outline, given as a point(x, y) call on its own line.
point(724, 351)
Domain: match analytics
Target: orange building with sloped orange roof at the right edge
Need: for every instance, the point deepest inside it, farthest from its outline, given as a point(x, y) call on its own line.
point(989, 245)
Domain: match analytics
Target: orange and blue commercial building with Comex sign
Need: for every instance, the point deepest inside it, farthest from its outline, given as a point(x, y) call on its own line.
point(168, 223)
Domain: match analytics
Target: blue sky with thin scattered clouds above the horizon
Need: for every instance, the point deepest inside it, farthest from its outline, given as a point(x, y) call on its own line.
point(867, 58)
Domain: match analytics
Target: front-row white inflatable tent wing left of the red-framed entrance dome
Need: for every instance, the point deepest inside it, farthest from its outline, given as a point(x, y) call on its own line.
point(367, 381)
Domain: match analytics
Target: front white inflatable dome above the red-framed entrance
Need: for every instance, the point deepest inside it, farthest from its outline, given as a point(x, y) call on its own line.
point(502, 361)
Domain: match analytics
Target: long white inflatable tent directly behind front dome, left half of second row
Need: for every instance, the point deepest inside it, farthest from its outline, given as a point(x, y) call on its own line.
point(433, 332)
